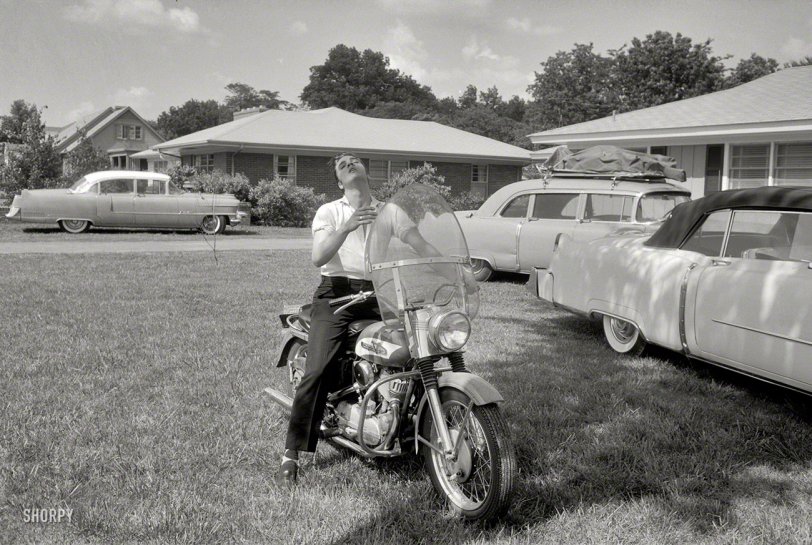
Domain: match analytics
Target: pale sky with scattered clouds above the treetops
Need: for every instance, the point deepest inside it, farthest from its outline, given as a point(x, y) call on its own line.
point(74, 57)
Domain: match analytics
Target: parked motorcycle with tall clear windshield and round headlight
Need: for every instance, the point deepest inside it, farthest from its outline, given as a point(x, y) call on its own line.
point(406, 386)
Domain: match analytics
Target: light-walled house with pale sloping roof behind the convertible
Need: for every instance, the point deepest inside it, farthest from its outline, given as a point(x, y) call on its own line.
point(759, 133)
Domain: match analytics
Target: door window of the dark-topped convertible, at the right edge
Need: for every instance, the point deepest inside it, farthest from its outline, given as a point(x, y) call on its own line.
point(762, 234)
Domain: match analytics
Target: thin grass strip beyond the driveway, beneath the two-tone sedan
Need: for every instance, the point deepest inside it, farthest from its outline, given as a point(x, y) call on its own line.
point(15, 231)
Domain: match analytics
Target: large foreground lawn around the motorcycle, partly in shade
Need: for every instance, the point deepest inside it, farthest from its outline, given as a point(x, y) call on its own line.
point(131, 392)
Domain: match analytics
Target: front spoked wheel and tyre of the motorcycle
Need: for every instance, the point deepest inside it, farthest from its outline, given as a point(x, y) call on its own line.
point(479, 483)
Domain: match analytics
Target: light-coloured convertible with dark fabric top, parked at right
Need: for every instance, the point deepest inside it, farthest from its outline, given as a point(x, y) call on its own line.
point(727, 279)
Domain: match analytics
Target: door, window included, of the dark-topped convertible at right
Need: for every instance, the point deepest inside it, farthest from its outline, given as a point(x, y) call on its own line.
point(753, 305)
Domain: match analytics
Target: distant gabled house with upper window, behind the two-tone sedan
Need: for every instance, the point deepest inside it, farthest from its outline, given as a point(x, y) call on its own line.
point(117, 130)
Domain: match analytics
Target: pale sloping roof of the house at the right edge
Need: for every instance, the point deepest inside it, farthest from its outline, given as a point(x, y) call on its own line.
point(782, 98)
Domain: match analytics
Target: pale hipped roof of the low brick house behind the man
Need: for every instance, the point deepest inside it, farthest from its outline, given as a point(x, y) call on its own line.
point(333, 129)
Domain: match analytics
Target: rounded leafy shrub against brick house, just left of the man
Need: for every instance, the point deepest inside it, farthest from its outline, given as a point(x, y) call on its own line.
point(280, 202)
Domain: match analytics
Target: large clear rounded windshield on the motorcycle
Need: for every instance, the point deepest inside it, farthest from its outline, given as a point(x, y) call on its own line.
point(417, 256)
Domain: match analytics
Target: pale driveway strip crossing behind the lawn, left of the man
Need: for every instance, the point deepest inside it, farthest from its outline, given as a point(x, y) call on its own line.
point(132, 246)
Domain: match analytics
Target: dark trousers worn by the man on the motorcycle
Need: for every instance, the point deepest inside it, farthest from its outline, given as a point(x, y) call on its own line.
point(325, 346)
